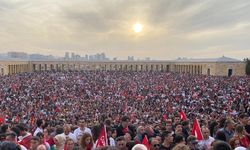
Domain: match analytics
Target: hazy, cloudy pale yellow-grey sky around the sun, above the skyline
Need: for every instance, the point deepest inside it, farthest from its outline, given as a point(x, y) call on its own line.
point(171, 28)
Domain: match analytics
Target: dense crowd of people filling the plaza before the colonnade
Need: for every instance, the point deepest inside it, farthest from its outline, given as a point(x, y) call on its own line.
point(67, 110)
